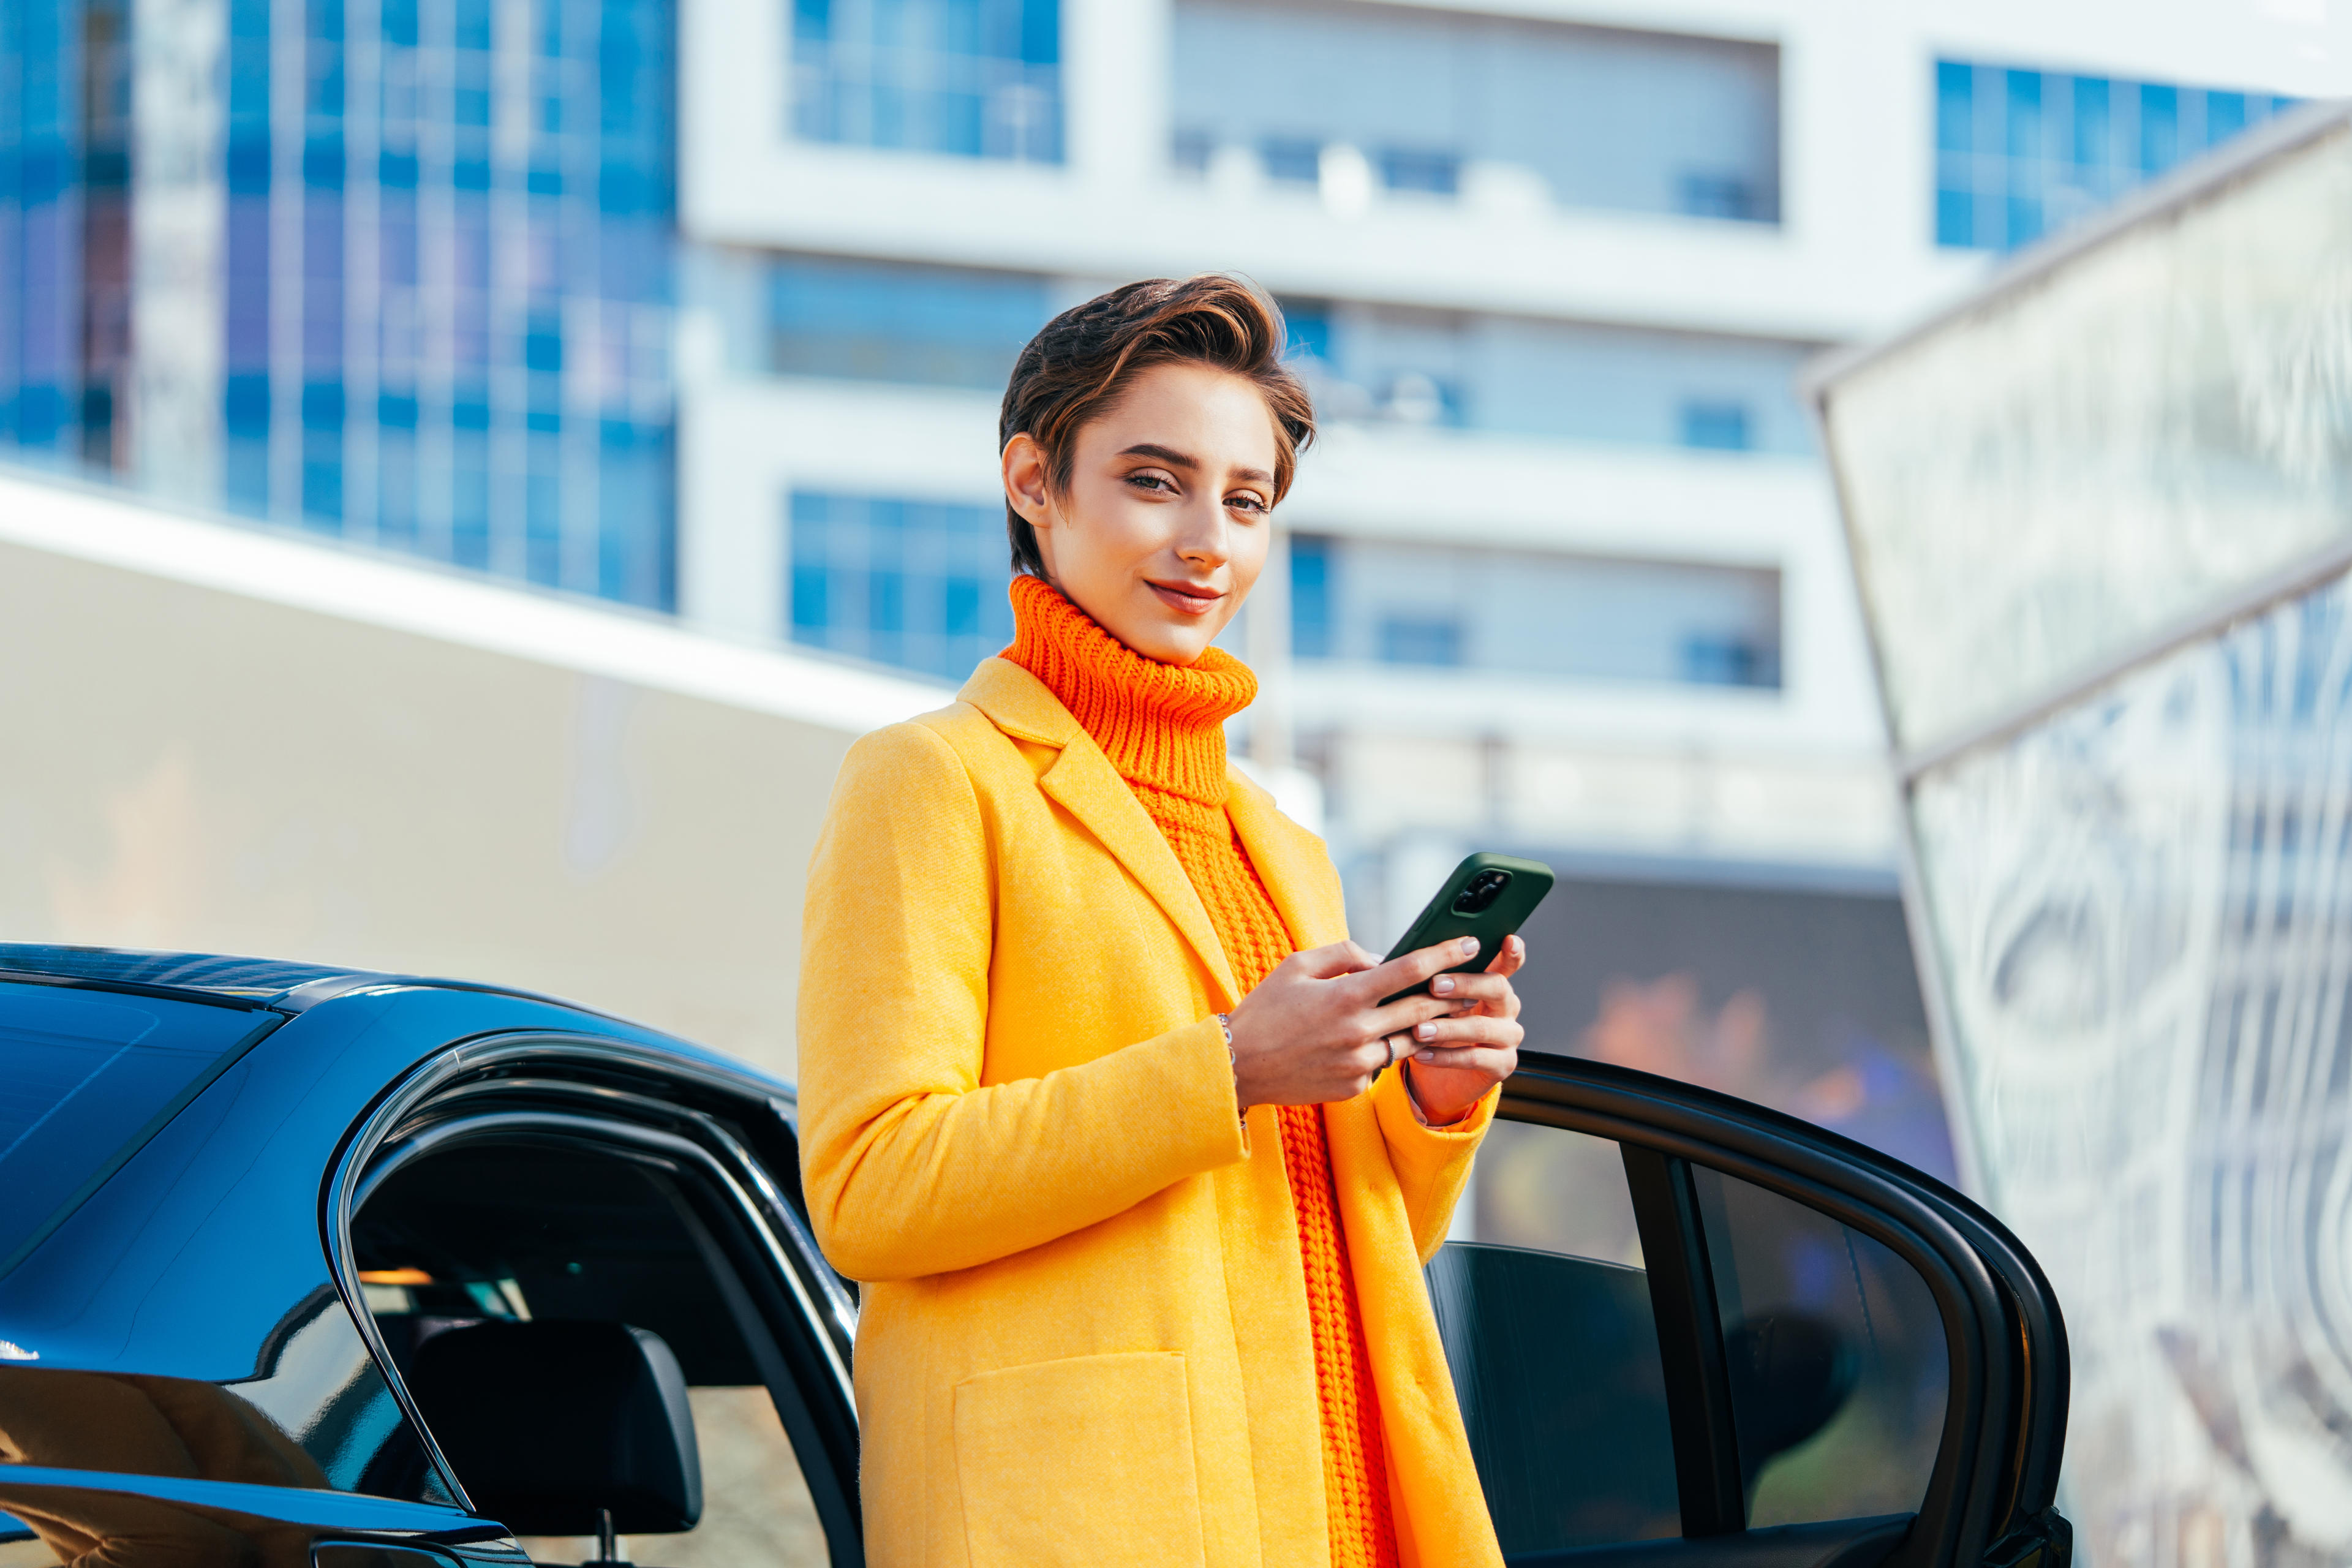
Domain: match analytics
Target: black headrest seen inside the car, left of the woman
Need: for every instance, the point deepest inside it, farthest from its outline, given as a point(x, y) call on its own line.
point(563, 1428)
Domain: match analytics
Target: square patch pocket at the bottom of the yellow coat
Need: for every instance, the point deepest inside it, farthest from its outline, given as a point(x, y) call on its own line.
point(1083, 1463)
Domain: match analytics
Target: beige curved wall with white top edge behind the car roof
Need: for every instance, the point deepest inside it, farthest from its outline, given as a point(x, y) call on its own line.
point(227, 742)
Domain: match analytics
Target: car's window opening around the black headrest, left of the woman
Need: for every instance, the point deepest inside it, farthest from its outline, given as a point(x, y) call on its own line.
point(549, 1233)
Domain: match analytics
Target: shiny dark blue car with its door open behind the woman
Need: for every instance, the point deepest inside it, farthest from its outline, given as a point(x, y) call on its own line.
point(328, 1268)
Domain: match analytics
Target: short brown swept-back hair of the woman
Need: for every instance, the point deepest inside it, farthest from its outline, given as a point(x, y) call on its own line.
point(1078, 366)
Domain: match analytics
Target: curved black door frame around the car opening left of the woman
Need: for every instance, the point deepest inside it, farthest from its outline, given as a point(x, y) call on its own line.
point(592, 1090)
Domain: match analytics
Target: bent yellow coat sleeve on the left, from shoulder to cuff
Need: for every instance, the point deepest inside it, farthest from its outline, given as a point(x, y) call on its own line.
point(909, 1165)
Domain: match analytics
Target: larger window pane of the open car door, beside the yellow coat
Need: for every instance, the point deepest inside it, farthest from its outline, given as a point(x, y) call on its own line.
point(1572, 1449)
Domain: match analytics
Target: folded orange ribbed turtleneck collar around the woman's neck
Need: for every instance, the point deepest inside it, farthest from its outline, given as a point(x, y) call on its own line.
point(1161, 725)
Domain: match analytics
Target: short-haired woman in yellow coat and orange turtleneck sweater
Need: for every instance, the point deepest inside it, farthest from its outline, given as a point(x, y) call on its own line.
point(1097, 1099)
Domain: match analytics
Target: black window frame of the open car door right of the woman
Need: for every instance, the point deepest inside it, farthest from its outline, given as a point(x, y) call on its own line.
point(1996, 1475)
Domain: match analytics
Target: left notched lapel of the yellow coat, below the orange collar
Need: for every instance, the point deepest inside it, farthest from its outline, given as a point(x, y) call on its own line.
point(1093, 791)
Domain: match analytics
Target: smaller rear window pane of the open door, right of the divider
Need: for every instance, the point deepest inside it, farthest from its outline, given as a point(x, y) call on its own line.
point(1836, 1355)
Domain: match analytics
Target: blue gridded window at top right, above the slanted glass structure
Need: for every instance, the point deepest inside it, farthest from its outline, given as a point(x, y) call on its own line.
point(2022, 154)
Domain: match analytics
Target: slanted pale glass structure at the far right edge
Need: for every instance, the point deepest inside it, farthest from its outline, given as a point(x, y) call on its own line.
point(2127, 760)
